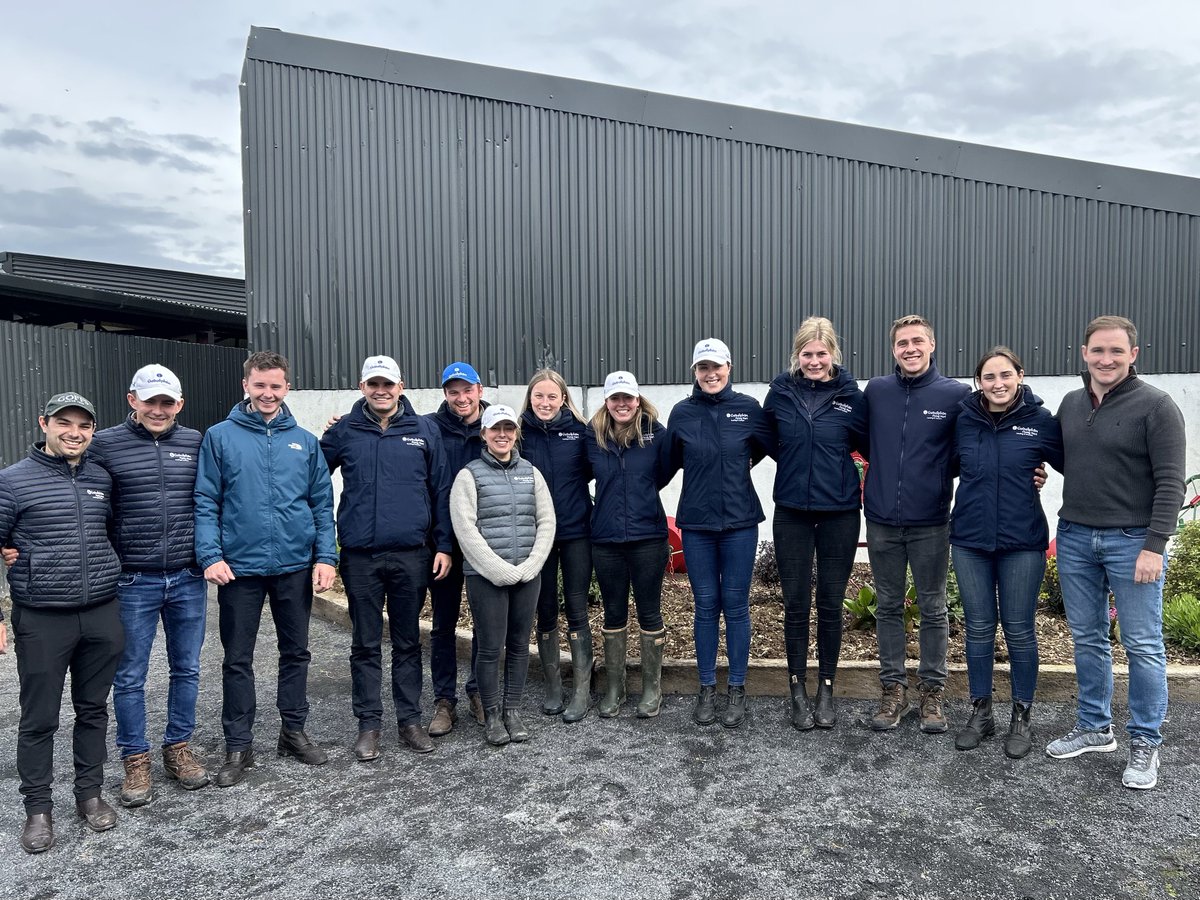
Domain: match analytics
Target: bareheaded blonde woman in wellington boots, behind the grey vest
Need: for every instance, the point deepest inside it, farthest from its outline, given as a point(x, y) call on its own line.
point(554, 440)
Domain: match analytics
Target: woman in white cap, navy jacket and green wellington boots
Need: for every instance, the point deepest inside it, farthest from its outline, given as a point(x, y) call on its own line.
point(629, 536)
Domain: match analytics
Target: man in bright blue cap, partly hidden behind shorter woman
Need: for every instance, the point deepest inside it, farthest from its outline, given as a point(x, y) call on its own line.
point(458, 421)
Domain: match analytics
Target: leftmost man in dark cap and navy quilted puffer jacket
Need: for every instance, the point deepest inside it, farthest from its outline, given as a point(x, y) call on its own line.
point(56, 508)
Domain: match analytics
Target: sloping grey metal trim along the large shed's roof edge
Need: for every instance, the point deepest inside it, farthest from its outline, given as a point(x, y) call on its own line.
point(941, 157)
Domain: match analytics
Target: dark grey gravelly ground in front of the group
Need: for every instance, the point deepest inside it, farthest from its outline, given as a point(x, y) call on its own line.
point(619, 808)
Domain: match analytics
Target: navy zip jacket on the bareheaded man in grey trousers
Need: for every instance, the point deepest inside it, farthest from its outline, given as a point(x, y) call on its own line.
point(911, 429)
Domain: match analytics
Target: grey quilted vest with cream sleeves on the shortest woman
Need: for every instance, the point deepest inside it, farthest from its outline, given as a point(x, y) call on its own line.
point(503, 518)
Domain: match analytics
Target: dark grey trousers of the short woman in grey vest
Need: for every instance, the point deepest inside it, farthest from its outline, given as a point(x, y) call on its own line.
point(503, 621)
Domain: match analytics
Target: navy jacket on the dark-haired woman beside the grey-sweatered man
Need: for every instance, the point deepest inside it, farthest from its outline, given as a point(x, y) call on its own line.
point(997, 507)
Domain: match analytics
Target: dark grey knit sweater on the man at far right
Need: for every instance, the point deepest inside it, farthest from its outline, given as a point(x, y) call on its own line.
point(1125, 460)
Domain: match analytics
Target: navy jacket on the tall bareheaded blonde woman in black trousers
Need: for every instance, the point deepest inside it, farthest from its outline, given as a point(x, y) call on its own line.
point(815, 439)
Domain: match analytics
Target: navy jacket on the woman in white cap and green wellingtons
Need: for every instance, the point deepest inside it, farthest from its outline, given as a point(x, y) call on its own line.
point(628, 482)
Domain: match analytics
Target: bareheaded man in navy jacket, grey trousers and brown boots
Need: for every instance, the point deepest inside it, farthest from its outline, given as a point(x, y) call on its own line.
point(911, 418)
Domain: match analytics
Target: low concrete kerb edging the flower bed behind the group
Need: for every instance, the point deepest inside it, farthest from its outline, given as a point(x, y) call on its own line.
point(856, 680)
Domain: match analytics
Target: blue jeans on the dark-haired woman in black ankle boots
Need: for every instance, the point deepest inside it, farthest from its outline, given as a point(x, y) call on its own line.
point(1007, 581)
